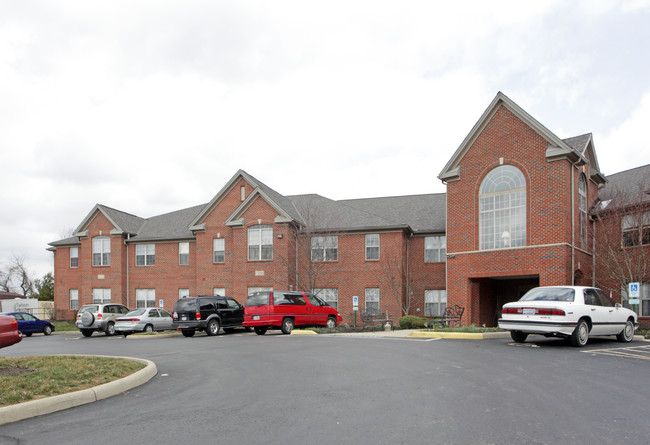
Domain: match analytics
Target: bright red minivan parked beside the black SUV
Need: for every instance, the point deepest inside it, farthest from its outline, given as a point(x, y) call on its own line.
point(285, 309)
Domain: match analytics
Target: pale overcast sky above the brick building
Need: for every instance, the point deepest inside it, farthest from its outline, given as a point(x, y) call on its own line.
point(150, 107)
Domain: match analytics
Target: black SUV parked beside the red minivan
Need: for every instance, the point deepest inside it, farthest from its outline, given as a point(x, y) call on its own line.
point(207, 313)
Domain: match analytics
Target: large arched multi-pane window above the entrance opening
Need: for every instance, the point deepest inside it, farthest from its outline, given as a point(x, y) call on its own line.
point(502, 209)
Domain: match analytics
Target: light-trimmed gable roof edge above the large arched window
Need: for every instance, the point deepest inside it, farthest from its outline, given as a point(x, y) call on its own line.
point(558, 149)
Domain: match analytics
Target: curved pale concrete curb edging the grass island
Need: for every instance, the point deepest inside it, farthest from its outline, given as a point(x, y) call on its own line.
point(25, 410)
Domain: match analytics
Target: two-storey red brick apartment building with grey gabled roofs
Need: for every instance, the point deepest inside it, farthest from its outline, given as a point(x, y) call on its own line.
point(521, 210)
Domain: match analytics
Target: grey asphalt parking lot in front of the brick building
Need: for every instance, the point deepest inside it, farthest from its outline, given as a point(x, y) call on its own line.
point(244, 388)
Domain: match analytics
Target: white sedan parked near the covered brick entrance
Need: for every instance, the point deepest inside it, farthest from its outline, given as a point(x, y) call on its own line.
point(573, 312)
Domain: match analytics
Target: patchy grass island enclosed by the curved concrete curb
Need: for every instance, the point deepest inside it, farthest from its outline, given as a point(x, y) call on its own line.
point(29, 378)
